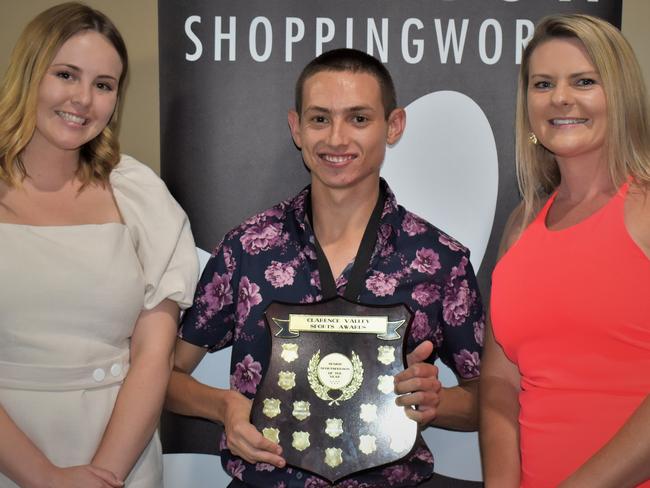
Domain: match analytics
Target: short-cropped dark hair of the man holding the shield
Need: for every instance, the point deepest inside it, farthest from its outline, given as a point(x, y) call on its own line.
point(355, 61)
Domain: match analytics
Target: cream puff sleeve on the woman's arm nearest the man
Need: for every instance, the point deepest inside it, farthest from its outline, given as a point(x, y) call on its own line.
point(160, 232)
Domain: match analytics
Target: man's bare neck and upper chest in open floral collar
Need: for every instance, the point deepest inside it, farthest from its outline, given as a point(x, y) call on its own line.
point(340, 217)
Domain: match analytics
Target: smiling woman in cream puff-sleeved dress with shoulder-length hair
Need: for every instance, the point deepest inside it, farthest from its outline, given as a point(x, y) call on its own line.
point(96, 259)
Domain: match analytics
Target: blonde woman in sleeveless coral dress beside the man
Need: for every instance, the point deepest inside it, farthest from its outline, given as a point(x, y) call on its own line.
point(565, 378)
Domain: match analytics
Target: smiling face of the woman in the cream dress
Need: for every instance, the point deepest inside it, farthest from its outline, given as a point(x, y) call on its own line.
point(78, 93)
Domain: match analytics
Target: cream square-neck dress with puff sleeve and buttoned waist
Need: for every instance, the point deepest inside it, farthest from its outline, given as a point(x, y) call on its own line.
point(69, 300)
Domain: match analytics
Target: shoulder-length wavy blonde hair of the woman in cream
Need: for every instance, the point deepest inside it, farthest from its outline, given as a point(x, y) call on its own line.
point(36, 48)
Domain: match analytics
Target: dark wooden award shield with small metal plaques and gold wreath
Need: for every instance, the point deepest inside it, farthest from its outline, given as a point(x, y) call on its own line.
point(328, 394)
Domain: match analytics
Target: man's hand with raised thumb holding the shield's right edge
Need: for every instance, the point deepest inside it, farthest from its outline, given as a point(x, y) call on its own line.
point(418, 386)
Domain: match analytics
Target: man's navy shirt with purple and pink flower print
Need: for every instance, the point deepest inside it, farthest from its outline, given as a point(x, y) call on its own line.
point(271, 256)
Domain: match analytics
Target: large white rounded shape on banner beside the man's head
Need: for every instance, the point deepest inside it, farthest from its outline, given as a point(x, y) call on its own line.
point(445, 168)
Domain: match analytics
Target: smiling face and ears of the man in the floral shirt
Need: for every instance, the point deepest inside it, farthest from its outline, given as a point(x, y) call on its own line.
point(342, 130)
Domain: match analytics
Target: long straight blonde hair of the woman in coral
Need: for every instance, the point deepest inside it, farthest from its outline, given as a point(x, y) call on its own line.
point(628, 137)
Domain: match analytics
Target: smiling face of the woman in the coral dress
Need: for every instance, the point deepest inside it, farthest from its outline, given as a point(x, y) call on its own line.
point(567, 107)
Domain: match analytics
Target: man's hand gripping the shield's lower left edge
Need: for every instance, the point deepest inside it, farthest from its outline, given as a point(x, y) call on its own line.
point(244, 440)
